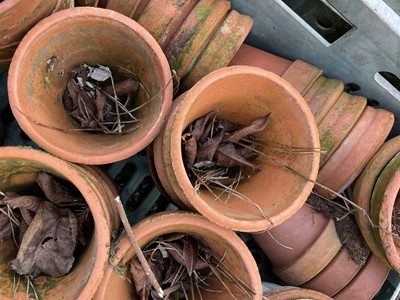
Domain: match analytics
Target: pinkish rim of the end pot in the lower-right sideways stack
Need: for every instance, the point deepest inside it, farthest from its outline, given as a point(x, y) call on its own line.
point(367, 283)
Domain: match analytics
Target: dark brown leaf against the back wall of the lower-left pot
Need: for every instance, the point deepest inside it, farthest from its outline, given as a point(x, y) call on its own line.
point(55, 191)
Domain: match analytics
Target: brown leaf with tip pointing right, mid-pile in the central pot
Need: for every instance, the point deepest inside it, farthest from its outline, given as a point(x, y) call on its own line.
point(227, 156)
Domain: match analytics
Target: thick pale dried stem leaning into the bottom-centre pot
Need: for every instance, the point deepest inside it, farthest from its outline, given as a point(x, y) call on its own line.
point(137, 249)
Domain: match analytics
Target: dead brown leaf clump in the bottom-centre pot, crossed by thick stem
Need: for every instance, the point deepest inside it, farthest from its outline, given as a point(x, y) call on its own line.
point(179, 262)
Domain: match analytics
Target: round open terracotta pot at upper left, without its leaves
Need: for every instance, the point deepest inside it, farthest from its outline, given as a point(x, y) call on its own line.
point(71, 37)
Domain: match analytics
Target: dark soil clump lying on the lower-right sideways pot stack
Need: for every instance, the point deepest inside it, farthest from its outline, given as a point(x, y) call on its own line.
point(346, 227)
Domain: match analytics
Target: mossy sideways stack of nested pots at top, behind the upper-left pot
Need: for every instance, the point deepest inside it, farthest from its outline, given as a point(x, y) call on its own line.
point(197, 36)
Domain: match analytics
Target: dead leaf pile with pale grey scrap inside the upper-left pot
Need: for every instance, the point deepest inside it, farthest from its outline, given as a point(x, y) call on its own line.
point(96, 102)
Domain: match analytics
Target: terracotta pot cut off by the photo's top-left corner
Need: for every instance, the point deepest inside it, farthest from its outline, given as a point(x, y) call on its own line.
point(17, 17)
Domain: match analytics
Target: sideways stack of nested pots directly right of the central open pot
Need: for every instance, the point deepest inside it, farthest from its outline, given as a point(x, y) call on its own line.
point(350, 131)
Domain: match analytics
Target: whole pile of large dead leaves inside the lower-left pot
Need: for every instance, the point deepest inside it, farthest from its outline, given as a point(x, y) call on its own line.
point(47, 228)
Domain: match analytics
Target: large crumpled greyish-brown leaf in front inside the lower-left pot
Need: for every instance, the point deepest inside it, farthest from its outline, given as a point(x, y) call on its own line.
point(49, 243)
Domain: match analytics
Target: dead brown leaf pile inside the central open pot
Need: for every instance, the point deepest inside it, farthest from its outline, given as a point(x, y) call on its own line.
point(221, 150)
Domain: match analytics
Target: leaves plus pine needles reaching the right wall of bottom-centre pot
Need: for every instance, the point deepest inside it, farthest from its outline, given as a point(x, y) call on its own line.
point(184, 265)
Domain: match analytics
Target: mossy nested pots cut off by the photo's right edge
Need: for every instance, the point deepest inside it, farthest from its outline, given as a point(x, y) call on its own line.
point(376, 191)
